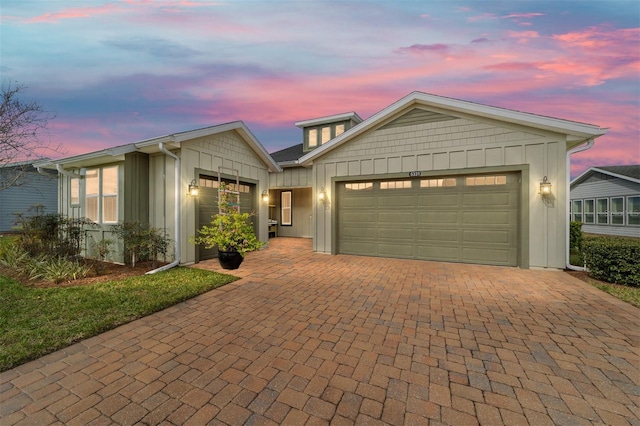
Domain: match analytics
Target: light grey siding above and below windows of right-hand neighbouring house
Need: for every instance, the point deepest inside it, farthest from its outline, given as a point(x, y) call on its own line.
point(614, 187)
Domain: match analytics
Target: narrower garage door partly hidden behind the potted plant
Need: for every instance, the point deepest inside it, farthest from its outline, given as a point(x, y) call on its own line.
point(208, 206)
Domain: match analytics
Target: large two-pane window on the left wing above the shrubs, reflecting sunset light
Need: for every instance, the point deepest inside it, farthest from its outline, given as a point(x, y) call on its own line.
point(101, 195)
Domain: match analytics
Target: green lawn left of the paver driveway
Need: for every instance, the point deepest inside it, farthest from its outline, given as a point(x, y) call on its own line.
point(37, 321)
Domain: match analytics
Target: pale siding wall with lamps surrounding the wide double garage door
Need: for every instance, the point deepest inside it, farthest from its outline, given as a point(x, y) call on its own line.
point(454, 145)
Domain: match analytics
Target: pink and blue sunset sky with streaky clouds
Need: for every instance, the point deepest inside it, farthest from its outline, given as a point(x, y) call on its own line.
point(116, 72)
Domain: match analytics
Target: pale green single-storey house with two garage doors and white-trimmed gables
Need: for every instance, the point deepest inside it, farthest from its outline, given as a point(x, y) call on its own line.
point(427, 177)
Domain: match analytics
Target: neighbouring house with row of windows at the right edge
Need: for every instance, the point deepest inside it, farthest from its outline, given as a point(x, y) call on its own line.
point(606, 199)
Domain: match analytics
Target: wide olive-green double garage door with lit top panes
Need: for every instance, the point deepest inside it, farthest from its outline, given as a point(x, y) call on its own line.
point(469, 219)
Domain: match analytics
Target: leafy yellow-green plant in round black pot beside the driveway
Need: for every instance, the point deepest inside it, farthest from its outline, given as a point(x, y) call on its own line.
point(231, 231)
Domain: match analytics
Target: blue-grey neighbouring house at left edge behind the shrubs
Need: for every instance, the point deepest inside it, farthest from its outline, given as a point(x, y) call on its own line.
point(23, 187)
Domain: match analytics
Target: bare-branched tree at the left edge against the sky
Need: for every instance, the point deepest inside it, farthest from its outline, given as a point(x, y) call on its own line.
point(23, 125)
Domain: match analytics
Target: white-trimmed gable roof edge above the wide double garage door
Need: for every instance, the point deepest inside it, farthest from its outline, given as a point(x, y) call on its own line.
point(576, 132)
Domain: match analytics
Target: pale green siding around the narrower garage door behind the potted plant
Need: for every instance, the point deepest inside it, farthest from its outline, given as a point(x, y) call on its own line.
point(204, 154)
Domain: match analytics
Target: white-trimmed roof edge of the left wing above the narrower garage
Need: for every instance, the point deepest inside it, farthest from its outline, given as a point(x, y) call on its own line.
point(151, 146)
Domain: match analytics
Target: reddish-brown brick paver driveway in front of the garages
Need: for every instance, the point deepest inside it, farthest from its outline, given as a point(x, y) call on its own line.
point(314, 339)
